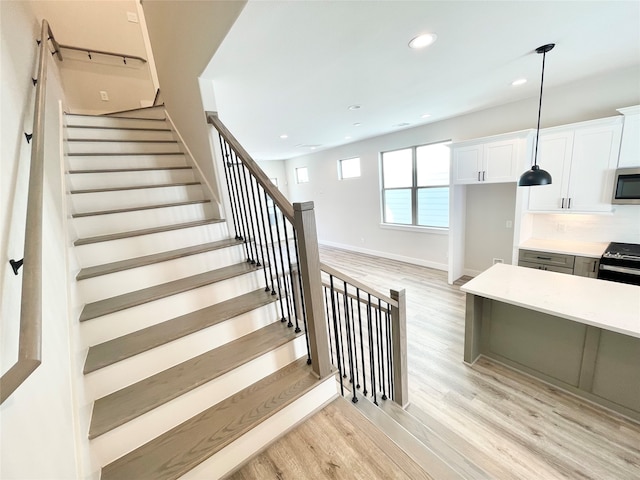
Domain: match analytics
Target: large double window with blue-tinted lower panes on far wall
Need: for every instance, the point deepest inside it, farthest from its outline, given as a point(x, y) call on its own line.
point(415, 186)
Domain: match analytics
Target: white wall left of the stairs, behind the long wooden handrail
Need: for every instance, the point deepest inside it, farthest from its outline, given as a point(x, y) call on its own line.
point(37, 422)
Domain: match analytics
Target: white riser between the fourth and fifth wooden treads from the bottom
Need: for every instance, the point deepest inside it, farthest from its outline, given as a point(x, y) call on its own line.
point(105, 286)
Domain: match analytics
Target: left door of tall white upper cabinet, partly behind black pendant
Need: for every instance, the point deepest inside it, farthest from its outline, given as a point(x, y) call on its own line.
point(554, 156)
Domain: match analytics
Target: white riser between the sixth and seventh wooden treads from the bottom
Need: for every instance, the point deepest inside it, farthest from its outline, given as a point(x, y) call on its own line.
point(95, 225)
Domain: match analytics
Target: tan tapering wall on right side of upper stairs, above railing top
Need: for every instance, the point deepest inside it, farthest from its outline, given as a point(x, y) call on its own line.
point(184, 36)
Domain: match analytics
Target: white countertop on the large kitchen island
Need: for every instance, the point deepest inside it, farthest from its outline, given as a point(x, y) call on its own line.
point(608, 305)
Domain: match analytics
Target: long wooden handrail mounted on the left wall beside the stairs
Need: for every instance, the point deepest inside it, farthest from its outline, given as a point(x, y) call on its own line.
point(30, 336)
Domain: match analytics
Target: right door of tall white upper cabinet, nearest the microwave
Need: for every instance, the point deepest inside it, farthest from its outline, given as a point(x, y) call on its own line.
point(593, 164)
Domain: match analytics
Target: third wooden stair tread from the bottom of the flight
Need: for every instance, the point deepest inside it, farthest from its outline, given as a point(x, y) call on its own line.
point(112, 351)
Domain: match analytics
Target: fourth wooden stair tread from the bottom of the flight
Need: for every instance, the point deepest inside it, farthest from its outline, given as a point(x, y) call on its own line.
point(149, 294)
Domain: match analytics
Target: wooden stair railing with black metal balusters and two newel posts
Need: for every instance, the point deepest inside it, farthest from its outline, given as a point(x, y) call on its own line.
point(349, 326)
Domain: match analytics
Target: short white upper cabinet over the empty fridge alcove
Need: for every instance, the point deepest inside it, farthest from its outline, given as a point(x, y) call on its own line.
point(490, 160)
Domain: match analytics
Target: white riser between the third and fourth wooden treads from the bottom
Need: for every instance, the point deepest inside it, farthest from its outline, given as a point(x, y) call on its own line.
point(108, 327)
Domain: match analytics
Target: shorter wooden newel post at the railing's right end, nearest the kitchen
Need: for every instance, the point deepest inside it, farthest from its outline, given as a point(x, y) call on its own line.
point(399, 346)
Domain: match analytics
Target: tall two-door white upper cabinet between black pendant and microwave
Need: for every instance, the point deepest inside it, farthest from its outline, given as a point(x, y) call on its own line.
point(581, 159)
